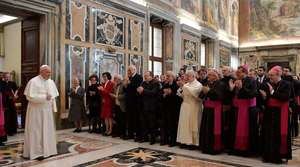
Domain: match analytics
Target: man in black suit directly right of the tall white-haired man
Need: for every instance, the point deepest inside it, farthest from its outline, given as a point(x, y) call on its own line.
point(148, 93)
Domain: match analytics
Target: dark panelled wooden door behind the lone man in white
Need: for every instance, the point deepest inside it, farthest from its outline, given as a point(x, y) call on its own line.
point(30, 60)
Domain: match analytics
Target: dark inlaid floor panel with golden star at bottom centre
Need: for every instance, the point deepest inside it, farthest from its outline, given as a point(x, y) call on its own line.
point(147, 157)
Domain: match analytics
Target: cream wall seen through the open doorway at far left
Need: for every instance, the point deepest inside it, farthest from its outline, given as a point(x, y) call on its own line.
point(12, 45)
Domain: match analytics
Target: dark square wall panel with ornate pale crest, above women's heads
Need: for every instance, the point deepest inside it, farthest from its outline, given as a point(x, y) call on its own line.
point(109, 29)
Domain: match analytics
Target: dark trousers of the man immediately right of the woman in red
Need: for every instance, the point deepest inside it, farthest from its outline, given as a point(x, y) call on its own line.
point(120, 127)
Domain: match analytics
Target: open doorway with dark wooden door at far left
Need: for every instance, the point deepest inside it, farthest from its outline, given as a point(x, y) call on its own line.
point(20, 56)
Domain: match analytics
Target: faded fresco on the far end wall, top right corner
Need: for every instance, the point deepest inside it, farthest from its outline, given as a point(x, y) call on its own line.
point(274, 19)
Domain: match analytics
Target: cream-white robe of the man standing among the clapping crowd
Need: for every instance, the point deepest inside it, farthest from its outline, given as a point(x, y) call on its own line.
point(190, 114)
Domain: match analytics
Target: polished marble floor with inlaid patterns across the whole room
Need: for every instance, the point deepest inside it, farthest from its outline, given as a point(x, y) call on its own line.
point(94, 150)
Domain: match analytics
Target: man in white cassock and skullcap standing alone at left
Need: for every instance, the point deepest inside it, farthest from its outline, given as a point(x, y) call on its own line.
point(40, 133)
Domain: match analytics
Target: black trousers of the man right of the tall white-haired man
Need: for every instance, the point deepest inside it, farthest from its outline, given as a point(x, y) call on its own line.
point(148, 122)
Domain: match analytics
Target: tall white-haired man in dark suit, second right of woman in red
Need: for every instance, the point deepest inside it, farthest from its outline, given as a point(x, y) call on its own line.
point(133, 81)
